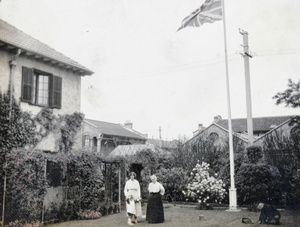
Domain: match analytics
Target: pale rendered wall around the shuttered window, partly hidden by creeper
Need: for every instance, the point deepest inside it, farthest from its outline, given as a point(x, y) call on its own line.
point(71, 90)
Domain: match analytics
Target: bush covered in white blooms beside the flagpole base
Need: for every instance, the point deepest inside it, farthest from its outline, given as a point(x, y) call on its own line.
point(204, 188)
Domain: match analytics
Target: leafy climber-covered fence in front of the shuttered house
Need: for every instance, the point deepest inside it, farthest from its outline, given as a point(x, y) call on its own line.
point(27, 182)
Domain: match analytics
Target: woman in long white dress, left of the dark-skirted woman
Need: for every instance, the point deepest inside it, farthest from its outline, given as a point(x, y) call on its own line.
point(132, 193)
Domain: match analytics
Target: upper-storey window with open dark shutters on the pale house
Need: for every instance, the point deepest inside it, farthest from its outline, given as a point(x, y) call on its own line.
point(42, 89)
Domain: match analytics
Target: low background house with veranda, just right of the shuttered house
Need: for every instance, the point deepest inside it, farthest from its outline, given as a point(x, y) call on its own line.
point(104, 137)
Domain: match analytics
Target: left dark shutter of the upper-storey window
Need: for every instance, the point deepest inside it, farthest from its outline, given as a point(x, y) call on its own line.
point(27, 84)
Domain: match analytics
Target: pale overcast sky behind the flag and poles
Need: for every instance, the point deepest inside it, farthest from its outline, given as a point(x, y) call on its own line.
point(155, 77)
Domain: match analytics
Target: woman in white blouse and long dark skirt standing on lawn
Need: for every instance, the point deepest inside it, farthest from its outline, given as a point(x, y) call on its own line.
point(155, 210)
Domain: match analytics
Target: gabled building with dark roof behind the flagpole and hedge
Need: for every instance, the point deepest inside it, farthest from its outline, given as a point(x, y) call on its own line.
point(262, 126)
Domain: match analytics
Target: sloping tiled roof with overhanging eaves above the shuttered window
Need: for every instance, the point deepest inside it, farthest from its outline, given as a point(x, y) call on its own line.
point(12, 36)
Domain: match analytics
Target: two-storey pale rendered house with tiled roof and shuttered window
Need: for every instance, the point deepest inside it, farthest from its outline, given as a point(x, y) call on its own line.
point(39, 77)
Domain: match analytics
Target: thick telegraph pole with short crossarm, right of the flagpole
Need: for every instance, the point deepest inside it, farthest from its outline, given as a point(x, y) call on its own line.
point(246, 55)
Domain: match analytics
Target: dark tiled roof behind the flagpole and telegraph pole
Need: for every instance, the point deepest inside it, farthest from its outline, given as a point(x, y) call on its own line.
point(260, 124)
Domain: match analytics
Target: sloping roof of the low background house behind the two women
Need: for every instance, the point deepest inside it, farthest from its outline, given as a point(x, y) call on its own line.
point(113, 129)
